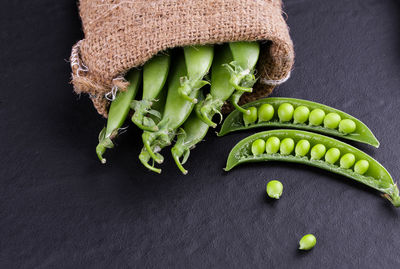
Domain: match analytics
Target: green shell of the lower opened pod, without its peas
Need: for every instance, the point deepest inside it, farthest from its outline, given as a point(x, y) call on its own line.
point(375, 176)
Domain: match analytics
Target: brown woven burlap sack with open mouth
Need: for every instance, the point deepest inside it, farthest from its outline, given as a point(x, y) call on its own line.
point(121, 34)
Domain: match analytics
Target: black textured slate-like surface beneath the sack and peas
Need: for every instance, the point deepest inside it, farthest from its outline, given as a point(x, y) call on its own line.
point(60, 208)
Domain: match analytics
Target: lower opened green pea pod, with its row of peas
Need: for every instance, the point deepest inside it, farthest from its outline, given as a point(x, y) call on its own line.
point(318, 151)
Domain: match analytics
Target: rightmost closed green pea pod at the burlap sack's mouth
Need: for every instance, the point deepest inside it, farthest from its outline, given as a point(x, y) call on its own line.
point(245, 57)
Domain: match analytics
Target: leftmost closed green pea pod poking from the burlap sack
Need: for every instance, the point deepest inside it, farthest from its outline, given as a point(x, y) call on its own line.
point(117, 114)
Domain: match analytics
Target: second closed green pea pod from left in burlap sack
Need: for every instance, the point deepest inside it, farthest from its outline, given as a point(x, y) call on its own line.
point(155, 73)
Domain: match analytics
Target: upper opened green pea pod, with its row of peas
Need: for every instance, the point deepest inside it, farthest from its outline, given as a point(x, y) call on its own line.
point(299, 114)
